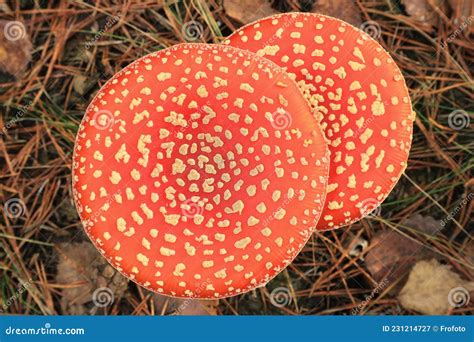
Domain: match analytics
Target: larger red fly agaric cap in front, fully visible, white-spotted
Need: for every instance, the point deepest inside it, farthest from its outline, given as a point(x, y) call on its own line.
point(199, 171)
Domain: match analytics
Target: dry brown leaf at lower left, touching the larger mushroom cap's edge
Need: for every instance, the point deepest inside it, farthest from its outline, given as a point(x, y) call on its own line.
point(82, 270)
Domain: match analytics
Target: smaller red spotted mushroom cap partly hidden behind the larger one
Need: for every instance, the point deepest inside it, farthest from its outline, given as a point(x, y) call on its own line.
point(356, 92)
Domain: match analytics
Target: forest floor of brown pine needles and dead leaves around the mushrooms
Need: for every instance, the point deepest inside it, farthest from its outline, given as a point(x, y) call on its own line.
point(69, 50)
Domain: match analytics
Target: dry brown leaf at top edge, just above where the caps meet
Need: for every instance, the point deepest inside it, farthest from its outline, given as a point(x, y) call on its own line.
point(247, 11)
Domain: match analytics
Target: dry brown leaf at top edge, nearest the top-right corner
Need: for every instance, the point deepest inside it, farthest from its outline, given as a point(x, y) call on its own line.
point(424, 12)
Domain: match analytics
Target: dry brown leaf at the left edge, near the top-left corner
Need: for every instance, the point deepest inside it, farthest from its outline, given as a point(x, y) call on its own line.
point(15, 48)
